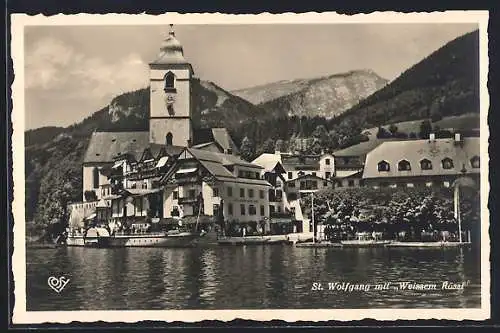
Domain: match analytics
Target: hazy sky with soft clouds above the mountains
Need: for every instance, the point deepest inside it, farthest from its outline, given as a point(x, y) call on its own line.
point(73, 71)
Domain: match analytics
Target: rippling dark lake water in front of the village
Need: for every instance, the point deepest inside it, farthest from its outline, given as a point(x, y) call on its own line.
point(248, 277)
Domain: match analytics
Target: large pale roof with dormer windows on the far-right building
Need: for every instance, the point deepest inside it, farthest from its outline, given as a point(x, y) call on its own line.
point(416, 150)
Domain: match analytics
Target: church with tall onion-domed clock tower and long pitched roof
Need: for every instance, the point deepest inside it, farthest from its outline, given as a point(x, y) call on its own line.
point(171, 128)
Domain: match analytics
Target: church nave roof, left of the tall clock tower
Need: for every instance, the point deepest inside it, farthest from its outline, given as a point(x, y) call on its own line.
point(104, 146)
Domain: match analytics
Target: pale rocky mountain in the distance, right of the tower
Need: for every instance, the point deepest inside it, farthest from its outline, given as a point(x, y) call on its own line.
point(326, 96)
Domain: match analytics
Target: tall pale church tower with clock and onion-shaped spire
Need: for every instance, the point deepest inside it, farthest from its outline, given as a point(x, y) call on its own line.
point(171, 107)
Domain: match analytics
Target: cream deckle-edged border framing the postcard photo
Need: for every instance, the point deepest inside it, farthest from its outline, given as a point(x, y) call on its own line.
point(22, 316)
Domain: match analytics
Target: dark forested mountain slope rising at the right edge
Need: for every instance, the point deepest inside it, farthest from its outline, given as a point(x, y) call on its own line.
point(446, 83)
